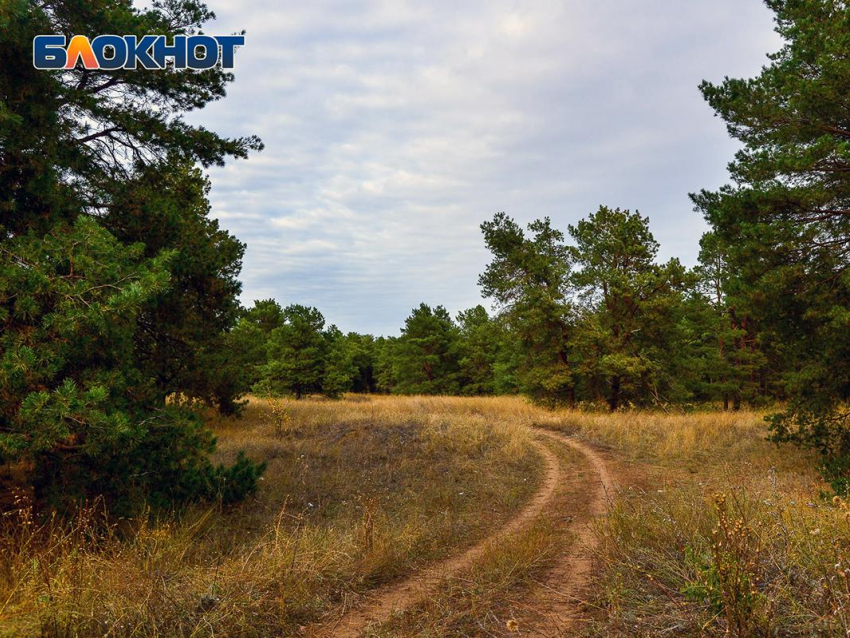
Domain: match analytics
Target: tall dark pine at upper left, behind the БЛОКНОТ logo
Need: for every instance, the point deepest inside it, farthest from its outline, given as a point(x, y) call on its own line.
point(114, 144)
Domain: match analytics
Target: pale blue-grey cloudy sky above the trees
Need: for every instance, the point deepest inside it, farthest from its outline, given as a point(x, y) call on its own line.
point(394, 128)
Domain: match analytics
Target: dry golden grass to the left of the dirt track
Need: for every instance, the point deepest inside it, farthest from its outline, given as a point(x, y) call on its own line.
point(357, 493)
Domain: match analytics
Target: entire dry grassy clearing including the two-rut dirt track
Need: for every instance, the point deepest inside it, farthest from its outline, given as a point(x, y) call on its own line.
point(432, 516)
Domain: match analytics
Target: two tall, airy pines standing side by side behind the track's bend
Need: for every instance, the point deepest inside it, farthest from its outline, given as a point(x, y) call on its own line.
point(605, 330)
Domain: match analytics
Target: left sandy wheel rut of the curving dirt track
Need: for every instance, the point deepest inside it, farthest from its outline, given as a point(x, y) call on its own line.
point(382, 602)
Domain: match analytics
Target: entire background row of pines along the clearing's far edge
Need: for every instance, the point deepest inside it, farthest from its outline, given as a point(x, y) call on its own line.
point(597, 323)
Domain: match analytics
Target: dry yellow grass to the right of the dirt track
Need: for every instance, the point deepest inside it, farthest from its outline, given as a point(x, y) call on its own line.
point(727, 534)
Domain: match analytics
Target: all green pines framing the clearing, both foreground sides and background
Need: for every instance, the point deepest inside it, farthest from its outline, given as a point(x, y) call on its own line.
point(118, 291)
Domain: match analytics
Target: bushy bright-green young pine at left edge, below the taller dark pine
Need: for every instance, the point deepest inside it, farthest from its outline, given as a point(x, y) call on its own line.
point(79, 415)
